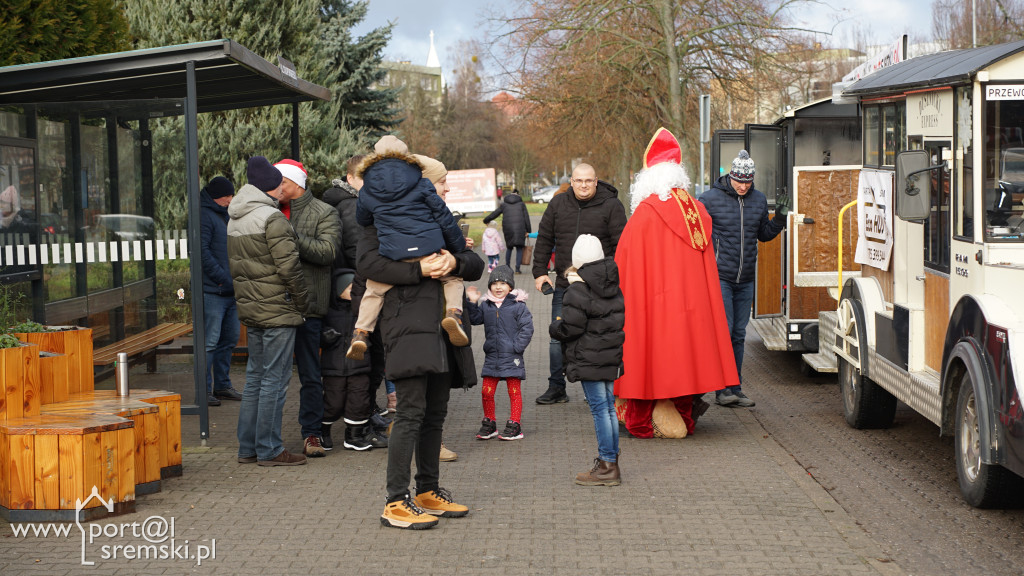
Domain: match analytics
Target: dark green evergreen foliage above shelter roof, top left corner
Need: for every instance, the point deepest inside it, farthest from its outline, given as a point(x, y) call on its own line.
point(50, 30)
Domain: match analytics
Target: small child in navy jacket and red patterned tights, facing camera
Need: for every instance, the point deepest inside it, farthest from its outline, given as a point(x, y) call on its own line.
point(508, 327)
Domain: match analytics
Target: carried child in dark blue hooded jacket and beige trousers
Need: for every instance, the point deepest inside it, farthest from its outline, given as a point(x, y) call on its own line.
point(413, 225)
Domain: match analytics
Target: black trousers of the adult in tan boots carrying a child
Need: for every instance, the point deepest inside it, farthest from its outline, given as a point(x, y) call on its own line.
point(417, 430)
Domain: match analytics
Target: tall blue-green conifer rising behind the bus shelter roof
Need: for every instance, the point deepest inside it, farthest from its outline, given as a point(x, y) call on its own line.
point(313, 34)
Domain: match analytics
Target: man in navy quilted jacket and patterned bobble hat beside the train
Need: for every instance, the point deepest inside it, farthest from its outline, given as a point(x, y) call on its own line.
point(740, 221)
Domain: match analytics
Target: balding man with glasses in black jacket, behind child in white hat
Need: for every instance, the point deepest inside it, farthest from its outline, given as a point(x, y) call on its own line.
point(591, 208)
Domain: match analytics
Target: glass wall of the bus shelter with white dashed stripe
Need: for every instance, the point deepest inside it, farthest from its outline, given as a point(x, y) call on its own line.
point(112, 248)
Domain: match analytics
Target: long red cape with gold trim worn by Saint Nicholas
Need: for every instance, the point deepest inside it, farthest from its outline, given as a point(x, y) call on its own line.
point(677, 338)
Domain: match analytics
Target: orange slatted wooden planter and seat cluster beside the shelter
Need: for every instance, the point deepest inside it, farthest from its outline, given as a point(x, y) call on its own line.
point(60, 438)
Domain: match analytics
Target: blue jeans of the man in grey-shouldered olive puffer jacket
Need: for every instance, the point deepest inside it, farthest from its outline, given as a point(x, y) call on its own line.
point(268, 374)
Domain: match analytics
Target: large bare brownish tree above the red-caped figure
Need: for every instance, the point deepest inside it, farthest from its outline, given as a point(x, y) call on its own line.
point(606, 74)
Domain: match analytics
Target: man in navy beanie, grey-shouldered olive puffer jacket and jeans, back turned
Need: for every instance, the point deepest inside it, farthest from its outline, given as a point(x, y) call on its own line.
point(272, 299)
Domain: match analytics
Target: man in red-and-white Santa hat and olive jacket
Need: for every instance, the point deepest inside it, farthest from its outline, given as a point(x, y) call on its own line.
point(319, 232)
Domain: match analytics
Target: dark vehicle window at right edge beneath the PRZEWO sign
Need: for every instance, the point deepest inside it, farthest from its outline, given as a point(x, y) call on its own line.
point(1004, 164)
